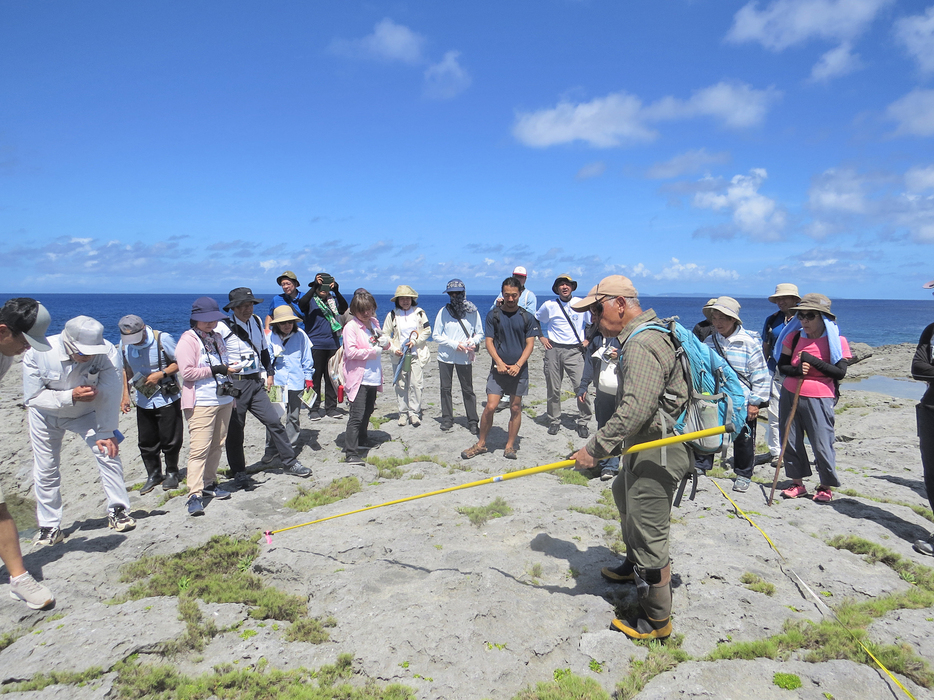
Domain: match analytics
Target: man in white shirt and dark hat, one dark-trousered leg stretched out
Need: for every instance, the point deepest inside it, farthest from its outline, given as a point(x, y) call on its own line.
point(248, 348)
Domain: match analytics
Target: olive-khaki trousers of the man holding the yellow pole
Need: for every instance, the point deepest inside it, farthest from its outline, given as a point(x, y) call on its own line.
point(644, 491)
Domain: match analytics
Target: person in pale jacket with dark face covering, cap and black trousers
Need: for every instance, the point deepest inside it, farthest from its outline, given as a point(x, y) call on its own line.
point(458, 332)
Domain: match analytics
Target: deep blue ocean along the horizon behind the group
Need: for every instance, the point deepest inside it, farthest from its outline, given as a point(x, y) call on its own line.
point(871, 321)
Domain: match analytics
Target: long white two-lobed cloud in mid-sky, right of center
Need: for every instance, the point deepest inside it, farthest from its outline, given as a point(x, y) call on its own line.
point(621, 118)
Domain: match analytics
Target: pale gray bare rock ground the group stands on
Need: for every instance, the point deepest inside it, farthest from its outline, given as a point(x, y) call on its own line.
point(422, 597)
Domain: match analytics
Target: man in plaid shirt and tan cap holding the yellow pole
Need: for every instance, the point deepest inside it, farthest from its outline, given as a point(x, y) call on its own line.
point(652, 388)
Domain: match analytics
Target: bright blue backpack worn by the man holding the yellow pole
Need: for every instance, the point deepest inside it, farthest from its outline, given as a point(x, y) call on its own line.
point(715, 395)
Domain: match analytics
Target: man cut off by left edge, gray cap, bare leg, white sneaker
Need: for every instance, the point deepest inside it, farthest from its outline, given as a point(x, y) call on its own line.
point(23, 323)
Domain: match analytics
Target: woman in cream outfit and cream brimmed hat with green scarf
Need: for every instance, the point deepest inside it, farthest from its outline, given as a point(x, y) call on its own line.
point(408, 330)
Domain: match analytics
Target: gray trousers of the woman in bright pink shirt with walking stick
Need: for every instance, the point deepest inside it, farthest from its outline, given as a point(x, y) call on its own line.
point(814, 418)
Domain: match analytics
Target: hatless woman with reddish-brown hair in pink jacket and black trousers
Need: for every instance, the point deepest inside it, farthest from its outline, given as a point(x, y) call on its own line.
point(363, 371)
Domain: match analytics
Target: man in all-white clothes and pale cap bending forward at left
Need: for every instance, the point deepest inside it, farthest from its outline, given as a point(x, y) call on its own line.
point(75, 386)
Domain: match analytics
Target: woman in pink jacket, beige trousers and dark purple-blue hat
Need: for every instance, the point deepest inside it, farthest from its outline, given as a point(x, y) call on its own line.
point(207, 400)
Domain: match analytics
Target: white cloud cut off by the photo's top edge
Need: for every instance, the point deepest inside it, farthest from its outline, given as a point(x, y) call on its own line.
point(785, 23)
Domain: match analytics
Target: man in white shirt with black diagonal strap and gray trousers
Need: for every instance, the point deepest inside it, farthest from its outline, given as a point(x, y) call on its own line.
point(564, 341)
